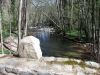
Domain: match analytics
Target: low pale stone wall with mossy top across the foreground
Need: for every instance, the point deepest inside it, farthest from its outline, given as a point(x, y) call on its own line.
point(10, 65)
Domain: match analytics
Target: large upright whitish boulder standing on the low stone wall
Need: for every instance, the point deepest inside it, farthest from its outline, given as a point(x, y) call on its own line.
point(29, 47)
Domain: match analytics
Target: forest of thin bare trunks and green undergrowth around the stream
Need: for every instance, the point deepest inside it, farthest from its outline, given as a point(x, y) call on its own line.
point(77, 20)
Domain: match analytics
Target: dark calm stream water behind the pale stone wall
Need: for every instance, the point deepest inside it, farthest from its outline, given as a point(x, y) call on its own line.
point(55, 45)
